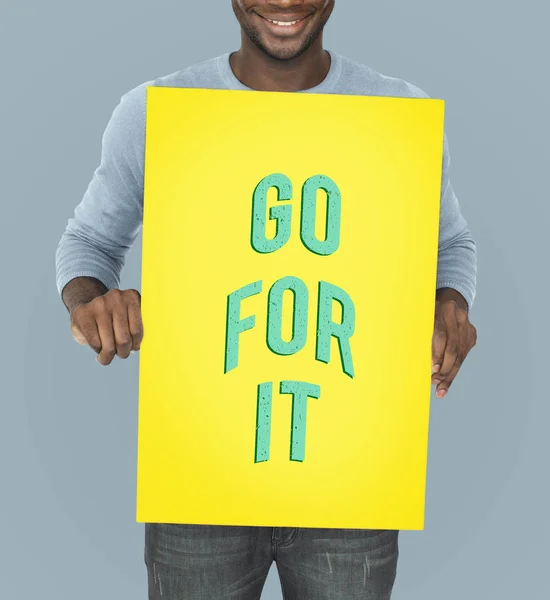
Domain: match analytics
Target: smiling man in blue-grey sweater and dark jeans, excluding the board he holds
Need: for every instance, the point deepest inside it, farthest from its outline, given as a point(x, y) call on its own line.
point(281, 50)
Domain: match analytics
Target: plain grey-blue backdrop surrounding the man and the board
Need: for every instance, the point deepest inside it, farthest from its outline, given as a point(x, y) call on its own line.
point(68, 426)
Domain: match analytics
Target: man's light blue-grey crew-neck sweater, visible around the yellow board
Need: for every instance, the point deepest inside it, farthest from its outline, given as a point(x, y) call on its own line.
point(108, 219)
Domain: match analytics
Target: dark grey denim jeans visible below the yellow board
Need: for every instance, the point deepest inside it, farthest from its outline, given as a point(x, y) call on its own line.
point(215, 562)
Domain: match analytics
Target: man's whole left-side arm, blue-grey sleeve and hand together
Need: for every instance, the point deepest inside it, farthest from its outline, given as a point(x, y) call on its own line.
point(91, 252)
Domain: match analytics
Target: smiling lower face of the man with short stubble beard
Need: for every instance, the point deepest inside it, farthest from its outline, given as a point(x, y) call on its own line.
point(283, 29)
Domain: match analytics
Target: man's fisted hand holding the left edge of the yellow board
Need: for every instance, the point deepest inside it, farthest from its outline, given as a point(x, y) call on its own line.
point(110, 324)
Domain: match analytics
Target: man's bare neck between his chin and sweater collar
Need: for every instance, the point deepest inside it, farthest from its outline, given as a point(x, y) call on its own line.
point(258, 71)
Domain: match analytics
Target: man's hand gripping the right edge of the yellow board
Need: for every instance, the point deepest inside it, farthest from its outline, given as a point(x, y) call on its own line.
point(454, 336)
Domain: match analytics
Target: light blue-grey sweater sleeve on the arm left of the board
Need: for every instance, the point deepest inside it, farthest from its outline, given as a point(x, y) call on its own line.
point(106, 222)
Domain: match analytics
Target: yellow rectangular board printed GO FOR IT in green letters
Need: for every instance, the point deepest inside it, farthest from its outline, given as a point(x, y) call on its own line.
point(358, 210)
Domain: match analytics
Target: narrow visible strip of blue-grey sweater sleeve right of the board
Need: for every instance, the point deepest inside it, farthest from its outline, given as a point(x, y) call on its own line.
point(457, 252)
